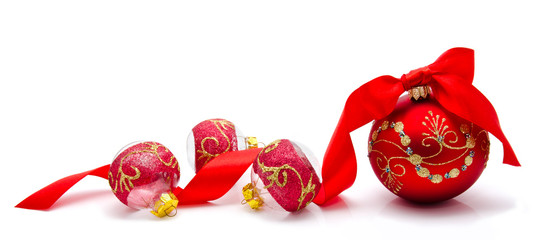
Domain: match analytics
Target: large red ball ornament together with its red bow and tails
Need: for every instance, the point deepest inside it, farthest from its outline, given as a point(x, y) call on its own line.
point(428, 149)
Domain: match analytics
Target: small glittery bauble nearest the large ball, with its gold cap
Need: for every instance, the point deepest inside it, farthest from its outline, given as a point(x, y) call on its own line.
point(282, 175)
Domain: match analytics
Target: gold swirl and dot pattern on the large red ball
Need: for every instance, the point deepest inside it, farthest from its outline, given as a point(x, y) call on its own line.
point(440, 134)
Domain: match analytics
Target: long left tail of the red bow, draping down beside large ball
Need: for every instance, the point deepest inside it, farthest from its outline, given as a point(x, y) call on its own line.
point(373, 100)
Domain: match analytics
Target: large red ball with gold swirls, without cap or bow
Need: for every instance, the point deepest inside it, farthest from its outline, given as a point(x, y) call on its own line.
point(424, 153)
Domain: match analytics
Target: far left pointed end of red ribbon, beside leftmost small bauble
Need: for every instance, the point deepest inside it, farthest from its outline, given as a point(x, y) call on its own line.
point(47, 196)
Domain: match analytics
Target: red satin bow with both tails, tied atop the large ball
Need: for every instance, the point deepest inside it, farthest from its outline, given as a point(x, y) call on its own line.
point(450, 77)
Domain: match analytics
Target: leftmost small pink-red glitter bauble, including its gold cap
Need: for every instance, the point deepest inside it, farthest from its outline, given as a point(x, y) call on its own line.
point(143, 175)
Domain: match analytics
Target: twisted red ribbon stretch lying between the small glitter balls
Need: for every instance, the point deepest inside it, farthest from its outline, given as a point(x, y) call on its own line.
point(217, 177)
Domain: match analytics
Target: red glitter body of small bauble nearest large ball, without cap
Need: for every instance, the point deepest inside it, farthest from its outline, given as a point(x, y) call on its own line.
point(287, 175)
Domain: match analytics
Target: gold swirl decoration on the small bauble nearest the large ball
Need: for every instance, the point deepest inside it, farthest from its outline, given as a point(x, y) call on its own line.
point(274, 177)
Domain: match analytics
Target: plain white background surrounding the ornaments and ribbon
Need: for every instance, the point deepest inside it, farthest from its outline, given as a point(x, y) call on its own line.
point(80, 79)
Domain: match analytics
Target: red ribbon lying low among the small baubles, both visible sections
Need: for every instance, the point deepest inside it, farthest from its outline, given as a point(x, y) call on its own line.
point(210, 183)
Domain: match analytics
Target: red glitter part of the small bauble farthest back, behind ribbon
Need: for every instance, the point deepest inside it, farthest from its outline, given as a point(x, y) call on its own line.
point(211, 138)
